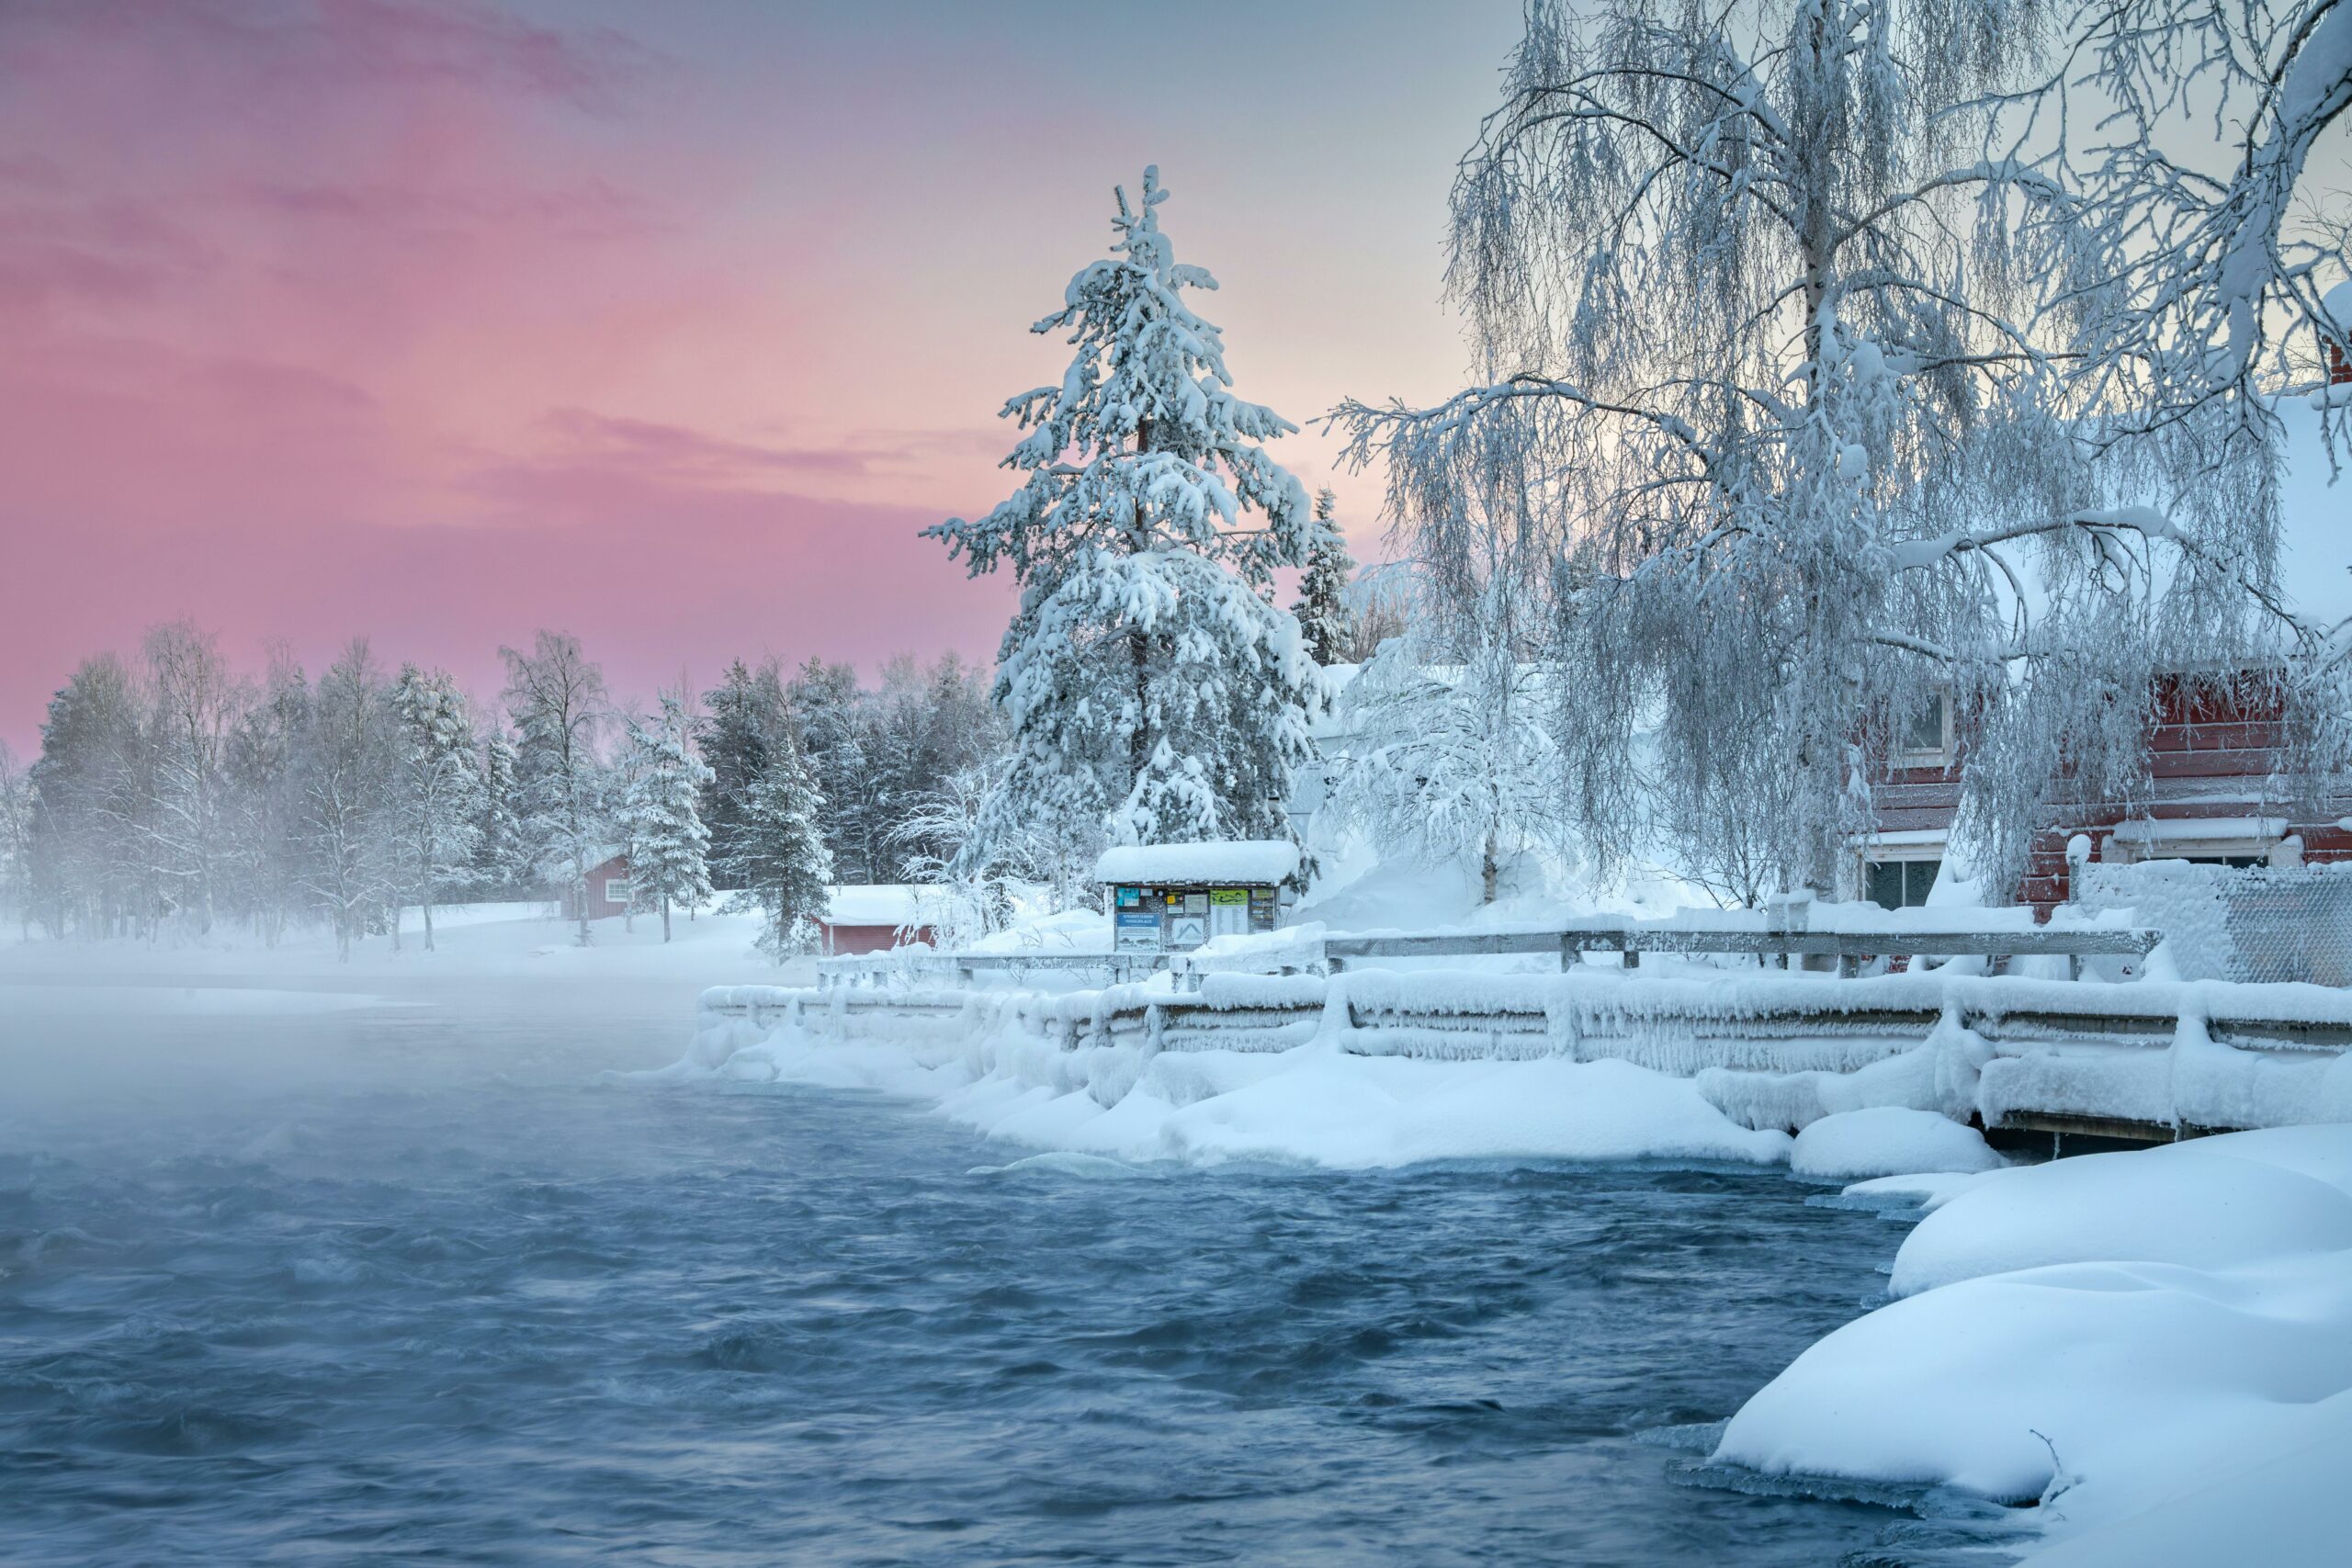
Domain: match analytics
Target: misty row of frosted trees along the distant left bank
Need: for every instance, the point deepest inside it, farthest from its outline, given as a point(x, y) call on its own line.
point(175, 793)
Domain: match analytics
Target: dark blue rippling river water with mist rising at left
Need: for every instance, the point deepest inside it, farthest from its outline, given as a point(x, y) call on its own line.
point(307, 1278)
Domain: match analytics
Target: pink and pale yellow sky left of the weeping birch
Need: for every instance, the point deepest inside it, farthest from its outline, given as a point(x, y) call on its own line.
point(664, 326)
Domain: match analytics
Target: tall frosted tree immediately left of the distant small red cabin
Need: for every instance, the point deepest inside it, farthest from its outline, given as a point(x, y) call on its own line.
point(559, 704)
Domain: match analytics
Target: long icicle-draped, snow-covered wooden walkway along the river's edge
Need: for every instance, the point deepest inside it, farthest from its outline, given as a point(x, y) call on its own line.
point(1770, 1052)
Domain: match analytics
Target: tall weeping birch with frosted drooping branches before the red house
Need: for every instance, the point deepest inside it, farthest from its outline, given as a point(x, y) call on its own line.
point(1768, 321)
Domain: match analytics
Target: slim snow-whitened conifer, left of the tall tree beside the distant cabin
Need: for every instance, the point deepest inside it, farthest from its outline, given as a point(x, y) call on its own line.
point(436, 798)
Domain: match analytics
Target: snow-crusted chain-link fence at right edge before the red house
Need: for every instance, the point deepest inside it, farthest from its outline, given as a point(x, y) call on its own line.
point(2221, 923)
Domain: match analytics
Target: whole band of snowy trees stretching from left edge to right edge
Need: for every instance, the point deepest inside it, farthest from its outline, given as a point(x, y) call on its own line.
point(1829, 361)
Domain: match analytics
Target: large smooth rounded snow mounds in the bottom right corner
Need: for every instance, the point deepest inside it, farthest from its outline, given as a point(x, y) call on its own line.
point(2118, 1336)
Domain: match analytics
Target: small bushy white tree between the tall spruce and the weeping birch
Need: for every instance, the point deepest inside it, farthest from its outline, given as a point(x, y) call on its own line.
point(1448, 749)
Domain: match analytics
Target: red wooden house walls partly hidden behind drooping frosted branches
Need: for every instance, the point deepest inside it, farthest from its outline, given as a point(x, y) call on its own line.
point(2214, 756)
